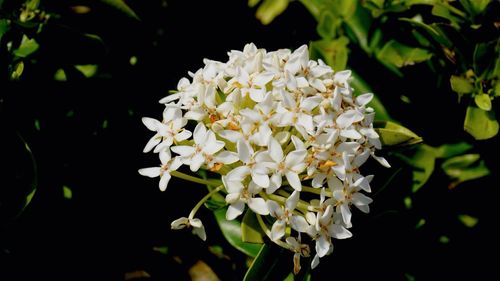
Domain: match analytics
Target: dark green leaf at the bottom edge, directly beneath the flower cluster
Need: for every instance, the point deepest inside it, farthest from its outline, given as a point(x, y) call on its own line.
point(269, 264)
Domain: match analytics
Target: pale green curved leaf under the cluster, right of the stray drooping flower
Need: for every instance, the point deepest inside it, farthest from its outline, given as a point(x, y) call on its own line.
point(232, 232)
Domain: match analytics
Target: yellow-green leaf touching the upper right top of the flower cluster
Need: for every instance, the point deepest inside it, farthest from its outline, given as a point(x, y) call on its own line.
point(333, 52)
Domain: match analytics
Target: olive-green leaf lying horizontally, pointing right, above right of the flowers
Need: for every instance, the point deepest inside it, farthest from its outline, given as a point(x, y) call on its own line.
point(402, 55)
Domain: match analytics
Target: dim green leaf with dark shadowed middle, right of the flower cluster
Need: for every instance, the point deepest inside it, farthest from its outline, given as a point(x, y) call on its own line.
point(464, 168)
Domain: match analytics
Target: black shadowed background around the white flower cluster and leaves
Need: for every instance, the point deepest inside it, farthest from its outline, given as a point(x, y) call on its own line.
point(90, 138)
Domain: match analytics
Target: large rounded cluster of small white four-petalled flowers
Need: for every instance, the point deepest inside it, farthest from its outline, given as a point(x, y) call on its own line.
point(287, 136)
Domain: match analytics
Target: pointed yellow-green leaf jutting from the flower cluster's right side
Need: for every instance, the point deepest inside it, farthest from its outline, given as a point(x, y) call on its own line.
point(392, 134)
